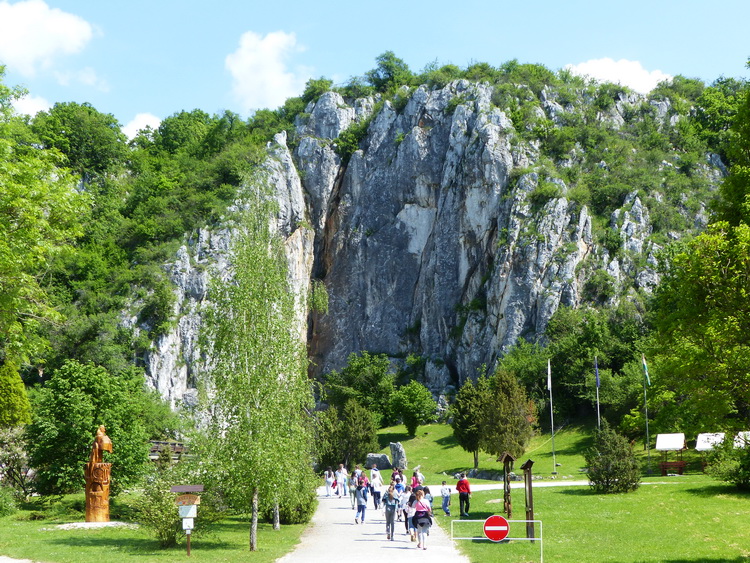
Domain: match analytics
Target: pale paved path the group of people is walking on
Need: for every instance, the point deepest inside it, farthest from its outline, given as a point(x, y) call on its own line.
point(333, 536)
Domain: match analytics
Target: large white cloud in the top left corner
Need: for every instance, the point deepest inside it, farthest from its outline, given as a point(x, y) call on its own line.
point(33, 35)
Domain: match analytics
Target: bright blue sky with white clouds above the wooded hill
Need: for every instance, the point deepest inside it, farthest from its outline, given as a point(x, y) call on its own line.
point(144, 60)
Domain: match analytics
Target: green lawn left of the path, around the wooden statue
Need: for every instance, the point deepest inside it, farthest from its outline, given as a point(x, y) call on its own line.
point(40, 540)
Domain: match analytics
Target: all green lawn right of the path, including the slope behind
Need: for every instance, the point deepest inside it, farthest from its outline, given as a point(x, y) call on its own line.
point(681, 519)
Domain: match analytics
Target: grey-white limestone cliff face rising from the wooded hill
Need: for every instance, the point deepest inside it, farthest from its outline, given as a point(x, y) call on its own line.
point(429, 240)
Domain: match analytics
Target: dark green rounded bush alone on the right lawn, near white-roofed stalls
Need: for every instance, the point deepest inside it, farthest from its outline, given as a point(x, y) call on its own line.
point(612, 464)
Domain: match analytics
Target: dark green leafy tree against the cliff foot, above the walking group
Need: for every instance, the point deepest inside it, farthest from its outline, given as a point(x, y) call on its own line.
point(368, 379)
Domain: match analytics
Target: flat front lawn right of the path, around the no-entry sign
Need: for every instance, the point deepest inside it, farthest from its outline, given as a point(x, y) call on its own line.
point(691, 519)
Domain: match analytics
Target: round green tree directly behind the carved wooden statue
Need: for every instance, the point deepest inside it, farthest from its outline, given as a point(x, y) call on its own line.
point(69, 408)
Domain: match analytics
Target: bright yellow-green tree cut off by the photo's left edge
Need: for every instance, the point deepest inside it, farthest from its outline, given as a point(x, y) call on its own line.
point(40, 215)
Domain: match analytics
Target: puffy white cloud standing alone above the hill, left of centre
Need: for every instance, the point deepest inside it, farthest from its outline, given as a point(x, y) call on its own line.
point(260, 73)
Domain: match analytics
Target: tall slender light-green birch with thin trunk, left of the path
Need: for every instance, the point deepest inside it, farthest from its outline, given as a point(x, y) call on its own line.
point(256, 395)
